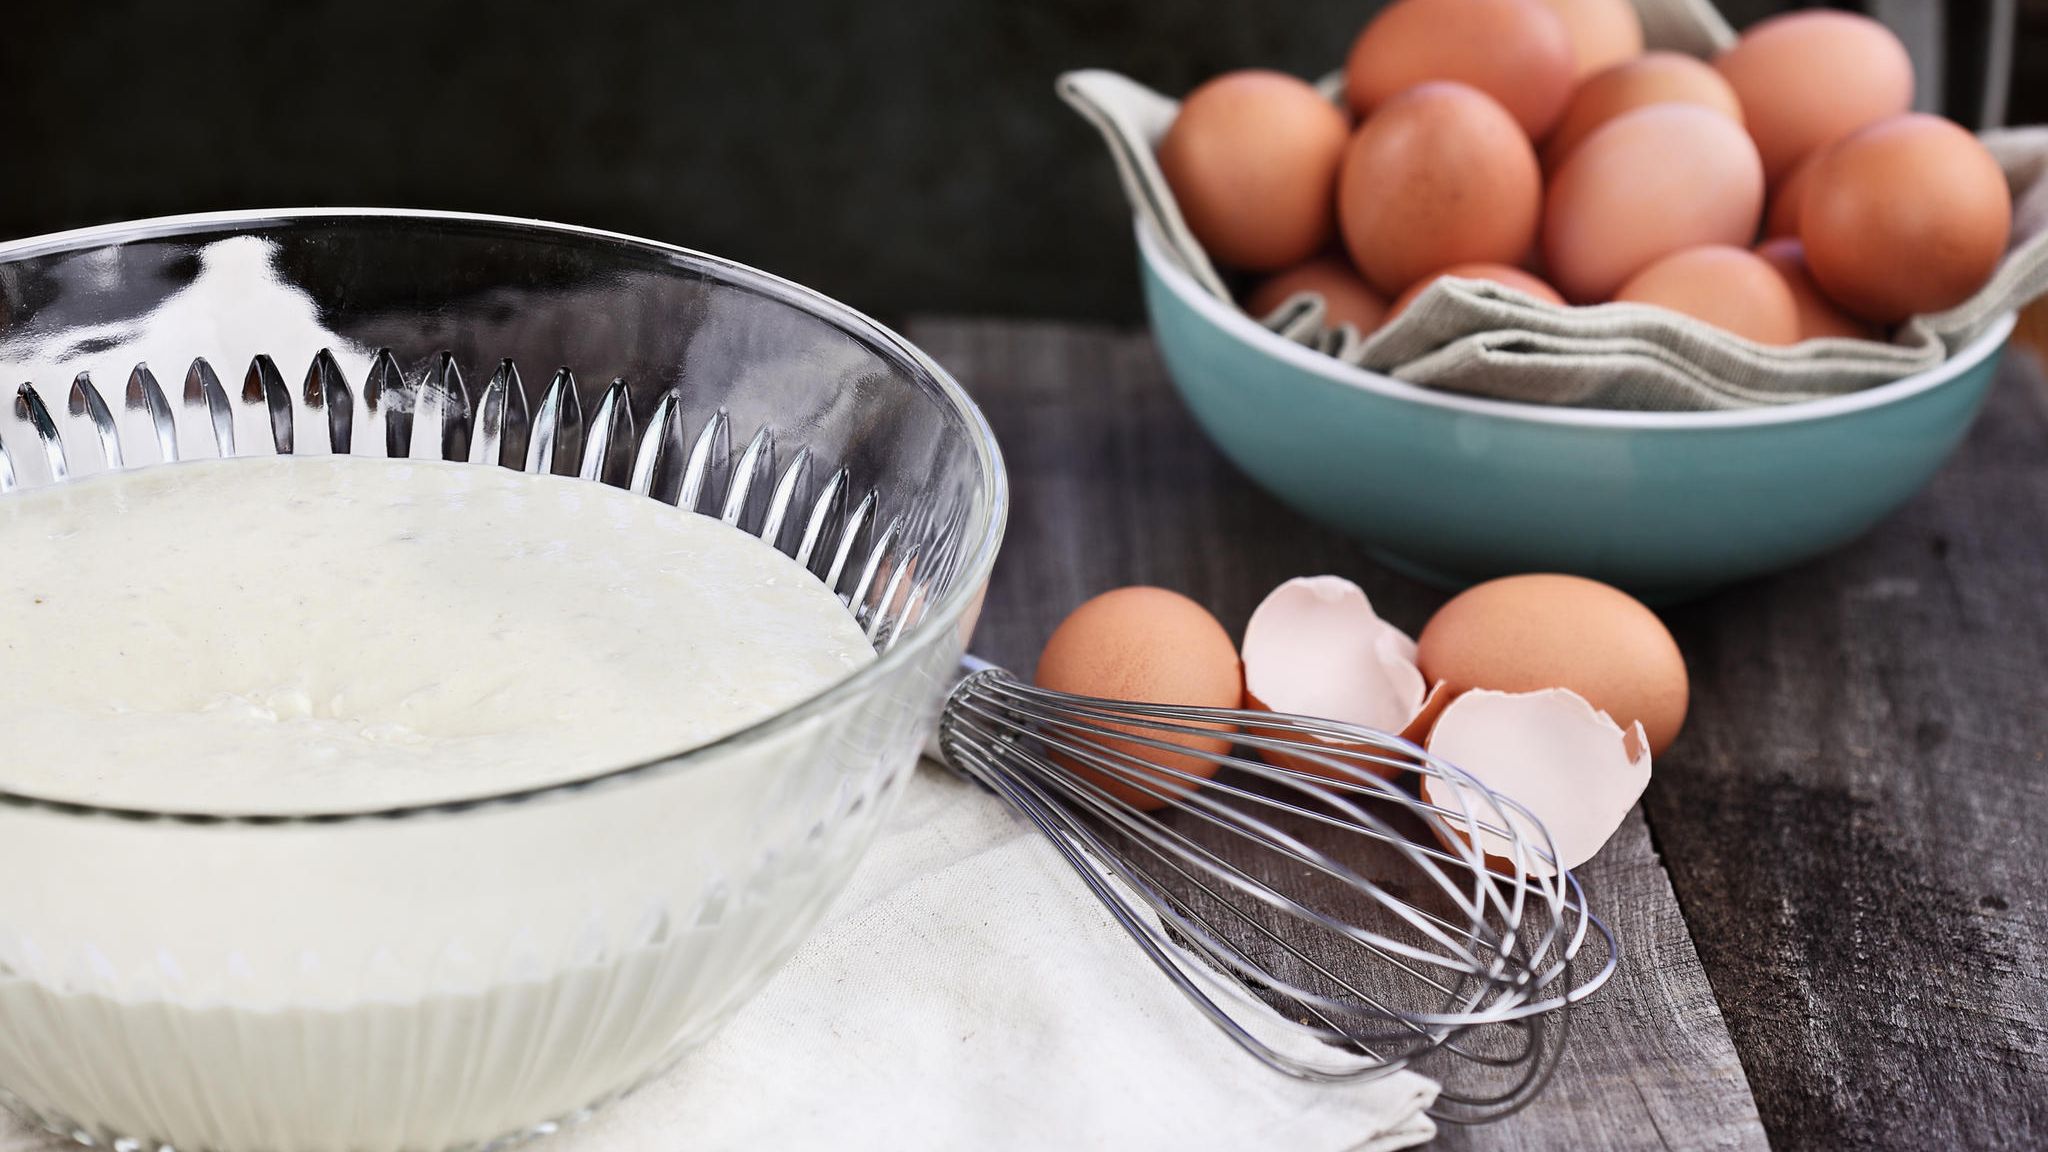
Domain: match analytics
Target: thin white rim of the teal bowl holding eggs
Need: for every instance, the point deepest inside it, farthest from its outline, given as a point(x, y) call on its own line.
point(1244, 329)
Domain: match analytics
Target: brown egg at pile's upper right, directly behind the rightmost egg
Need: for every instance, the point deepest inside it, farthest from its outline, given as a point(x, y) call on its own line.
point(1811, 79)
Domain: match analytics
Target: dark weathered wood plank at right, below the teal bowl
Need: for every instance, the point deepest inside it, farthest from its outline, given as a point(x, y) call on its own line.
point(1857, 815)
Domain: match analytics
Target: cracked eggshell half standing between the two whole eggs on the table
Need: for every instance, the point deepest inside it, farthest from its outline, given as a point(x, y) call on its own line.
point(1318, 649)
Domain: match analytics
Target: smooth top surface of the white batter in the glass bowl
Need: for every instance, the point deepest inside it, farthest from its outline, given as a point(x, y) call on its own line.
point(341, 634)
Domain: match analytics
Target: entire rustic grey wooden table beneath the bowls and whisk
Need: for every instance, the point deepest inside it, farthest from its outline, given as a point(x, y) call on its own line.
point(1834, 899)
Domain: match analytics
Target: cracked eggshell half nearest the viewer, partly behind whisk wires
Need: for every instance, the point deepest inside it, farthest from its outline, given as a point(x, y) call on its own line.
point(1549, 751)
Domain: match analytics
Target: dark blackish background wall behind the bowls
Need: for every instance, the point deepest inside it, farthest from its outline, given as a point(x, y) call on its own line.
point(904, 157)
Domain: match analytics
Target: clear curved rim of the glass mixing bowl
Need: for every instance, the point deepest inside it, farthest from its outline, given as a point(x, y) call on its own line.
point(992, 507)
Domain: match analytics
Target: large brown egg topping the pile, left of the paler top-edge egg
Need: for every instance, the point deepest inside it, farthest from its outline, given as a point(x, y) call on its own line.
point(1517, 52)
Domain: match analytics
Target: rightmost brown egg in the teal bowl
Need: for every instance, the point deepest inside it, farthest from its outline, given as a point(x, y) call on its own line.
point(1908, 216)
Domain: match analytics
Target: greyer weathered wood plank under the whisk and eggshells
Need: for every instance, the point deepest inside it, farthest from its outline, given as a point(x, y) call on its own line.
point(1113, 487)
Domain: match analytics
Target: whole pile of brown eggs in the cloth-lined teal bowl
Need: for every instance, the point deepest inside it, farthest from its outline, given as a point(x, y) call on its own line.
point(1781, 192)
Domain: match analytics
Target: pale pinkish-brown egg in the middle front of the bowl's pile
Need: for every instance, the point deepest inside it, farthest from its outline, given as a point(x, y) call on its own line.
point(1641, 188)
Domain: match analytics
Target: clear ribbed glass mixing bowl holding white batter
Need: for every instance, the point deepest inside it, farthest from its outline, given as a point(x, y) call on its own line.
point(460, 975)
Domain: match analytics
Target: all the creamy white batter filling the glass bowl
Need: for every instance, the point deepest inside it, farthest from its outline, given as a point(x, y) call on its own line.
point(341, 634)
